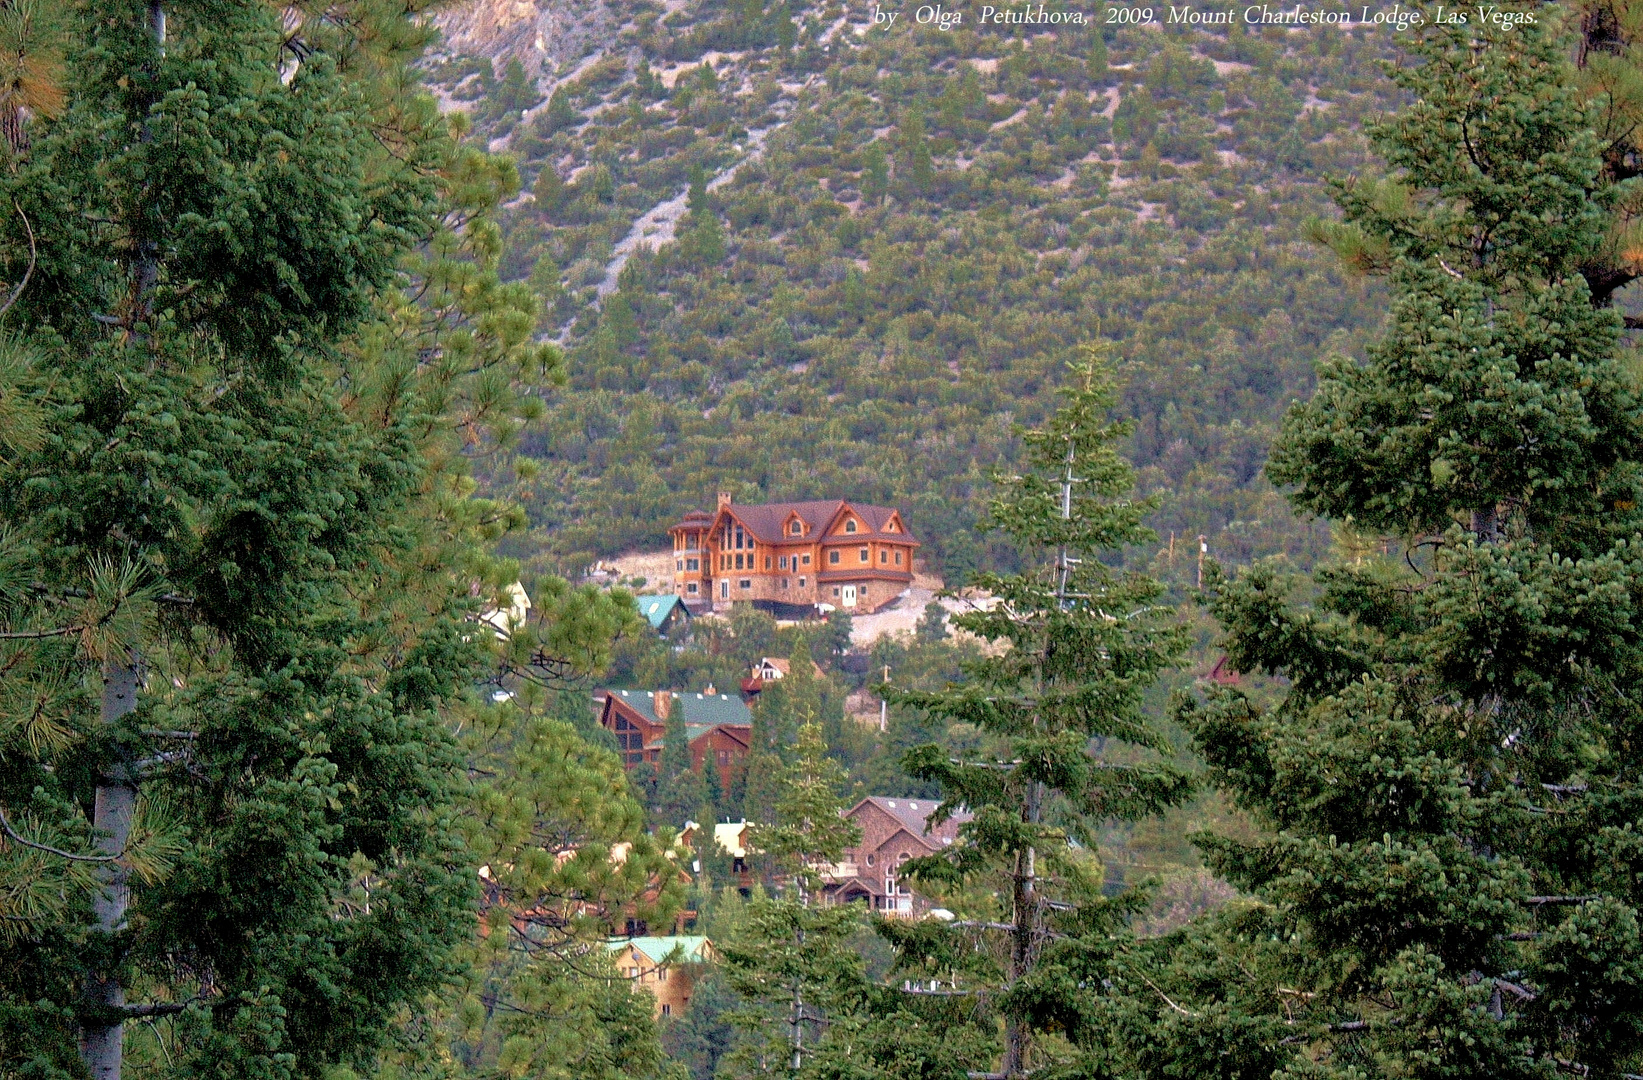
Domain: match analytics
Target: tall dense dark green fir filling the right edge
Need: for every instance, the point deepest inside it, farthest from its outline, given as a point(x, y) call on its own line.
point(1443, 882)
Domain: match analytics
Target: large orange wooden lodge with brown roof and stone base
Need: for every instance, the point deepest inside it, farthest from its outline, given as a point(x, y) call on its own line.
point(793, 558)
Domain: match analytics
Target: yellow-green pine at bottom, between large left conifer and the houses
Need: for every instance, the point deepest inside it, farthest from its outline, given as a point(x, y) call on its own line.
point(568, 862)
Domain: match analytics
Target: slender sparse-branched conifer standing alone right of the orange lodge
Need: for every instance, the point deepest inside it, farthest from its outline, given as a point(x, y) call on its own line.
point(1085, 642)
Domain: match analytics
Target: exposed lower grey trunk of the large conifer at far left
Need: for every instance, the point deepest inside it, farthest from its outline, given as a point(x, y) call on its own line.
point(103, 1035)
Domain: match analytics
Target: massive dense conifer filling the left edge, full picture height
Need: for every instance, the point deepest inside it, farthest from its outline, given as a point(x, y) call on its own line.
point(237, 528)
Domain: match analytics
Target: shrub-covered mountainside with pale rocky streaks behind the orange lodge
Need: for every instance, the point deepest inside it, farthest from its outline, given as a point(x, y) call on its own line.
point(806, 257)
